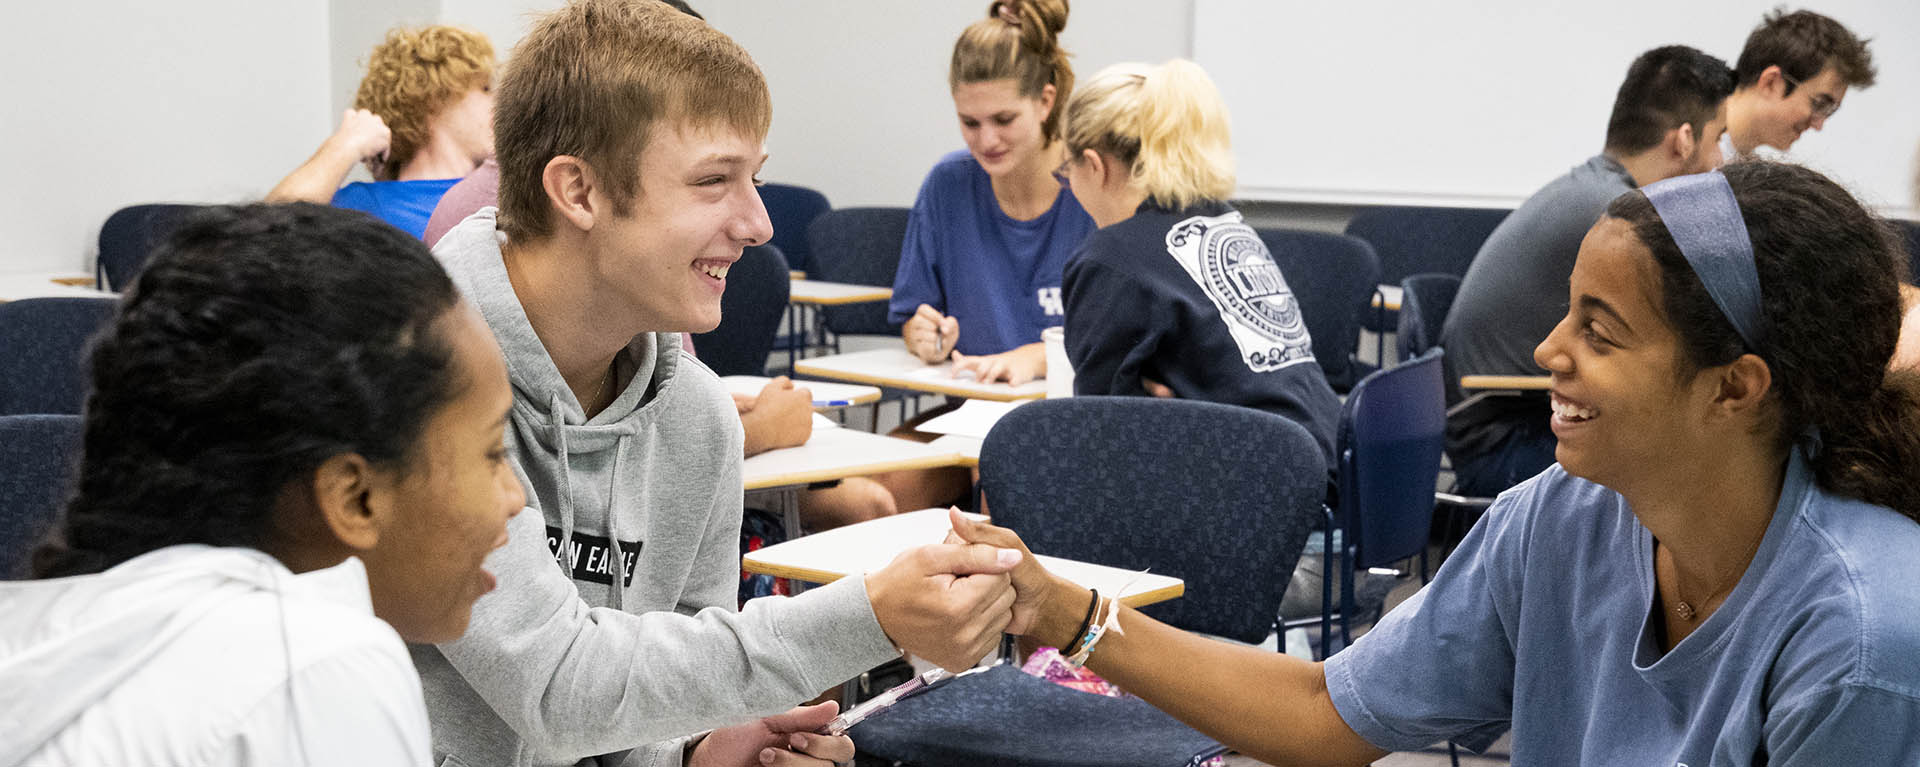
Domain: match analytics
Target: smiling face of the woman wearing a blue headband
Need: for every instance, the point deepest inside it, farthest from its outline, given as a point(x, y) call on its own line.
point(1621, 408)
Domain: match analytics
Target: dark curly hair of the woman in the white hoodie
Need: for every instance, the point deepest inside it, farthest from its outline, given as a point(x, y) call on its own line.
point(258, 343)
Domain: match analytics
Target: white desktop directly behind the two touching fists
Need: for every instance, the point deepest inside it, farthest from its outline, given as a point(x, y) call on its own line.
point(873, 545)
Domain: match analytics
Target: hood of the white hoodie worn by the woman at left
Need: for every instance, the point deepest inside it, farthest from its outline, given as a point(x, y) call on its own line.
point(70, 643)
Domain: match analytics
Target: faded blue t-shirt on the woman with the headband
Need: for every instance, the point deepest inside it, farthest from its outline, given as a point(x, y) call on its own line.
point(1541, 622)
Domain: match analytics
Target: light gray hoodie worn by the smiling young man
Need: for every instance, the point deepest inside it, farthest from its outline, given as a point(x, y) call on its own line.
point(635, 637)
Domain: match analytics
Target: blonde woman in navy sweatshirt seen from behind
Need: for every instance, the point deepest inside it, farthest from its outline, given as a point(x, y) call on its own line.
point(1176, 295)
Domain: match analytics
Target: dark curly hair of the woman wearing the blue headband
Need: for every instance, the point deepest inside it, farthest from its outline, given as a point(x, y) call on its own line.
point(1831, 312)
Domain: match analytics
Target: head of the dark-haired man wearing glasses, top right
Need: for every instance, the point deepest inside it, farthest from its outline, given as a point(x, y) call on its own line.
point(1792, 78)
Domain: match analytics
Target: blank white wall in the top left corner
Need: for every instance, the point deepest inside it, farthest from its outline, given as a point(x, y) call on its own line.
point(126, 101)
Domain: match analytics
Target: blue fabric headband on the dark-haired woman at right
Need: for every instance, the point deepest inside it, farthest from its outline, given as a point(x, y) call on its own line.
point(1702, 216)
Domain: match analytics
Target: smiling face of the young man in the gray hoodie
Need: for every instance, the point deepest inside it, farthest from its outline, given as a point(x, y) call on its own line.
point(694, 214)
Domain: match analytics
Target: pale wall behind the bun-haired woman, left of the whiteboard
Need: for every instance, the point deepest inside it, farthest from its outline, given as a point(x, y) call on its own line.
point(861, 105)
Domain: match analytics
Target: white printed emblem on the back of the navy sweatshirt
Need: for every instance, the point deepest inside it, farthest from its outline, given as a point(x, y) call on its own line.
point(1237, 272)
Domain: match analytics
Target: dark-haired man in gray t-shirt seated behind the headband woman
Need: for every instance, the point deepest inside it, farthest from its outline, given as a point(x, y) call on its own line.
point(1668, 120)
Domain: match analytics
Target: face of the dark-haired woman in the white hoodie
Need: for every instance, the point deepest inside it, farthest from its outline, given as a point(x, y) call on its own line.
point(448, 508)
